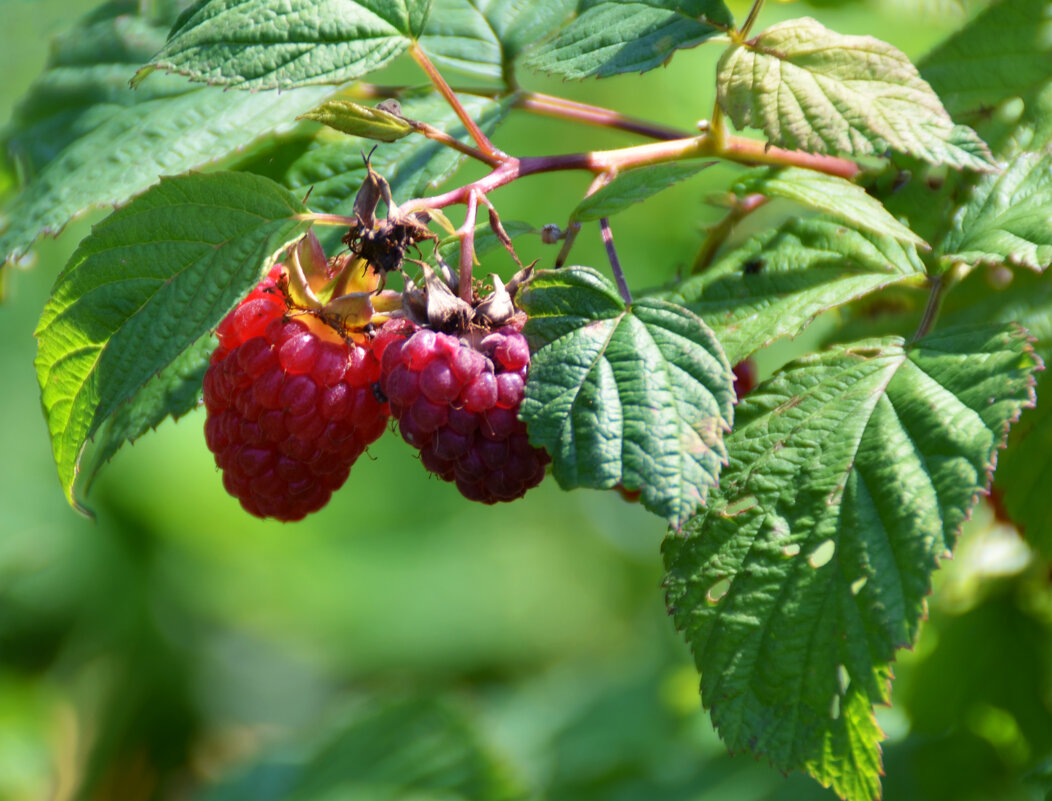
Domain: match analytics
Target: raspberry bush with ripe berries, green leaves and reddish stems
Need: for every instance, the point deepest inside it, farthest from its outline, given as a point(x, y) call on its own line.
point(317, 289)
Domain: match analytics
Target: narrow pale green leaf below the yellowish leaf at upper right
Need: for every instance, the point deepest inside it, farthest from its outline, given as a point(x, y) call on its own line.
point(835, 197)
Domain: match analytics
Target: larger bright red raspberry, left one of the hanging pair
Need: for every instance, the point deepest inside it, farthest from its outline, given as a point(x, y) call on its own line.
point(291, 406)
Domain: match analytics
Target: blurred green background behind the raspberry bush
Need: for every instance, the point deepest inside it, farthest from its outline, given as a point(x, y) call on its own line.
point(403, 644)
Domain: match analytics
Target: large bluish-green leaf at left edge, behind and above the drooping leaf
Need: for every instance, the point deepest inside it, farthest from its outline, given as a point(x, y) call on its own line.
point(103, 153)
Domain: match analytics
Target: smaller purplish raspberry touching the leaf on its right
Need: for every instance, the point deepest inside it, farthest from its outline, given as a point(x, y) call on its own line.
point(458, 405)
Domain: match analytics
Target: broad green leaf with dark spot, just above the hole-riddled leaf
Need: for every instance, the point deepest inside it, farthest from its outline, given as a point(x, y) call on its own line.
point(780, 281)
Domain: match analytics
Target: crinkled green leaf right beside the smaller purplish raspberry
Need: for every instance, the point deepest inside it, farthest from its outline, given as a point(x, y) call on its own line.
point(638, 396)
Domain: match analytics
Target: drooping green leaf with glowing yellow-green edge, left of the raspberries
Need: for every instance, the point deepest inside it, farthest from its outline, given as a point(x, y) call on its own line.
point(149, 283)
